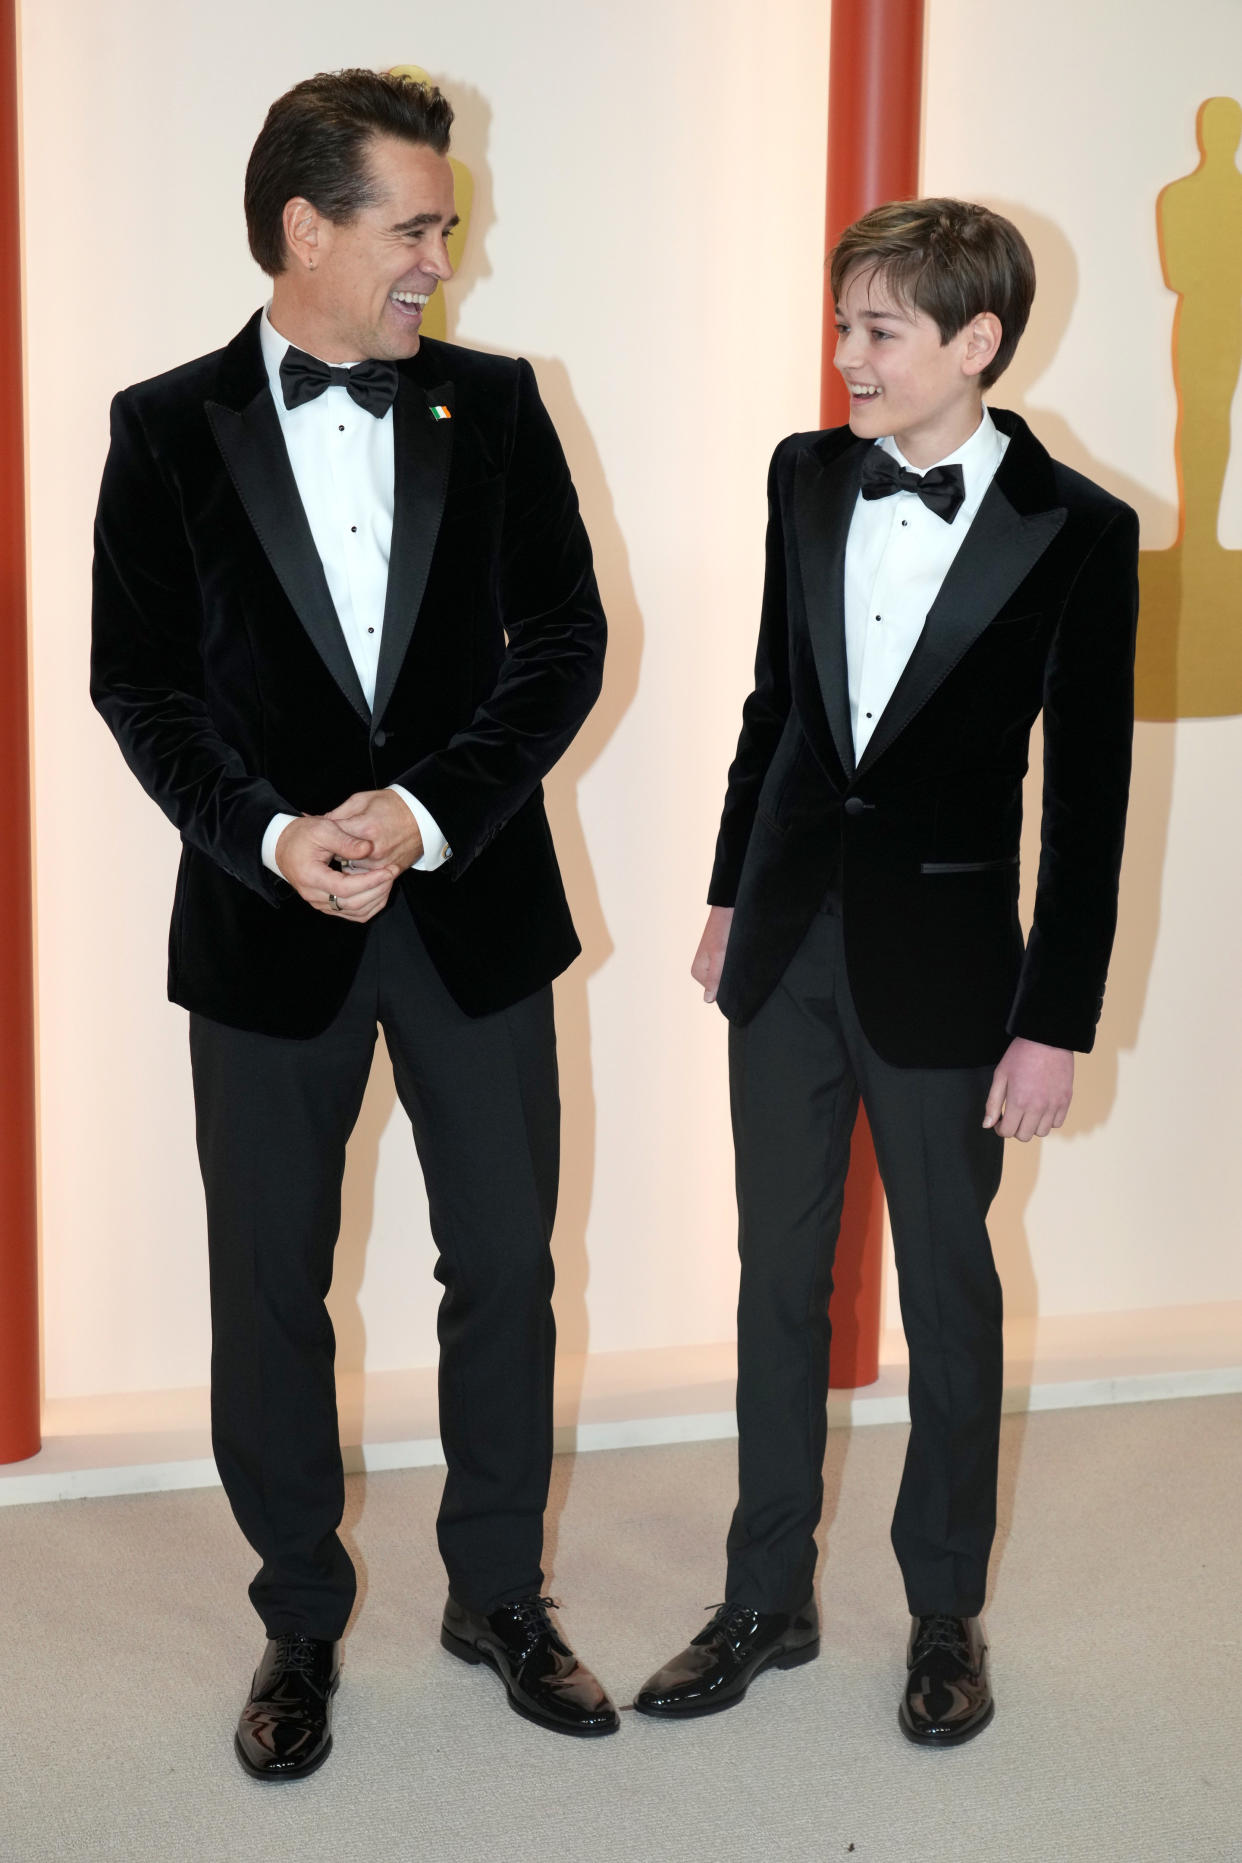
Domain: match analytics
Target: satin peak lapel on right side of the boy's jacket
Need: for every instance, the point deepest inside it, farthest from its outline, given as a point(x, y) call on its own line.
point(999, 552)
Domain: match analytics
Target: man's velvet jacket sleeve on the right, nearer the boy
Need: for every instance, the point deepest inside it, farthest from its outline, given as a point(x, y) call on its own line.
point(554, 664)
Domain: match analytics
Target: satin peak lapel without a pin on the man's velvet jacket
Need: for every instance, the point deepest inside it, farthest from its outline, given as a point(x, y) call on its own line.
point(254, 454)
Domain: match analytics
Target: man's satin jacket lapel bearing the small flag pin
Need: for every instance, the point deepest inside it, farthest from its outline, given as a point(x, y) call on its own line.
point(422, 459)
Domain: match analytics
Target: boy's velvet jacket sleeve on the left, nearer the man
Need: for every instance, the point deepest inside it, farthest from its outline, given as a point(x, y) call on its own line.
point(766, 711)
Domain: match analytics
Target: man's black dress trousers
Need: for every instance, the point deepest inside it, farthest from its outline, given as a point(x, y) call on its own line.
point(273, 1126)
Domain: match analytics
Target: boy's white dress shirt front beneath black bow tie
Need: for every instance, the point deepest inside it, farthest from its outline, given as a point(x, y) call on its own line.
point(897, 558)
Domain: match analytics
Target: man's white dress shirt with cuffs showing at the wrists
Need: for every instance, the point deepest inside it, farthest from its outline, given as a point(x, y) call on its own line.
point(344, 467)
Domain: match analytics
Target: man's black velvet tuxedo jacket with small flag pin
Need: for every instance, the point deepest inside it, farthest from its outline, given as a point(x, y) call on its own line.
point(221, 666)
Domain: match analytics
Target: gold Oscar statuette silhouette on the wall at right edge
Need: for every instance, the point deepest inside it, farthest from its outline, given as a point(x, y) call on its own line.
point(1191, 619)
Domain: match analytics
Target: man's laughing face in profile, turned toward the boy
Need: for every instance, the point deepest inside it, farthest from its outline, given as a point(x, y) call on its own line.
point(366, 282)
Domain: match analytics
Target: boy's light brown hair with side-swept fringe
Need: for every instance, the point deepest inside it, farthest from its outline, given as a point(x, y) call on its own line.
point(949, 260)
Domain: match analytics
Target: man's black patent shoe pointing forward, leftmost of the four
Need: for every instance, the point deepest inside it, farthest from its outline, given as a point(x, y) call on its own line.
point(286, 1726)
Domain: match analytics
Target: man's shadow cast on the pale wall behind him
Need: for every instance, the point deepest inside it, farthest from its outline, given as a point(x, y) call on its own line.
point(578, 1139)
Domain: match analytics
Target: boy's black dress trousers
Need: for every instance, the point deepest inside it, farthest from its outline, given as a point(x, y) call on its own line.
point(796, 1076)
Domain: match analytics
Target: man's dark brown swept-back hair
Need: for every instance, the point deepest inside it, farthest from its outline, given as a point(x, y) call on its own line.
point(316, 144)
